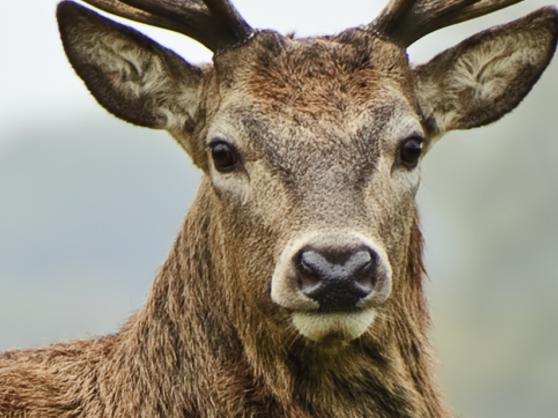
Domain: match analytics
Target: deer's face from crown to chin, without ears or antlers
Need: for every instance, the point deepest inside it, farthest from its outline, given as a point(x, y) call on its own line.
point(315, 164)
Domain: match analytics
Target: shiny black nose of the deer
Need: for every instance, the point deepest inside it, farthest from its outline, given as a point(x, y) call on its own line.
point(336, 278)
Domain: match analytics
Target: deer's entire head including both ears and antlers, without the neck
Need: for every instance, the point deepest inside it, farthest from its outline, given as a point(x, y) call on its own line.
point(311, 148)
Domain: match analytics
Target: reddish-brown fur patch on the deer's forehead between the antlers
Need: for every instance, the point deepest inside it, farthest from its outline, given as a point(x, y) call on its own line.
point(318, 77)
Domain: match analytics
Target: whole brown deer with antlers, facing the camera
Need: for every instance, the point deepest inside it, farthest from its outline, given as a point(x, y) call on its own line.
point(295, 286)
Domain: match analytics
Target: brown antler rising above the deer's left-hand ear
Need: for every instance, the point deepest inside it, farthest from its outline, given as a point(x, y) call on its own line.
point(214, 23)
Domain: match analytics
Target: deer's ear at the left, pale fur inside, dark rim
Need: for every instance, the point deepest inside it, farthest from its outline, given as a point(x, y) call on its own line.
point(129, 74)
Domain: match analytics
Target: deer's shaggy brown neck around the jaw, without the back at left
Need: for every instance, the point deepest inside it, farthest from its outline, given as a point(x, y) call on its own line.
point(184, 345)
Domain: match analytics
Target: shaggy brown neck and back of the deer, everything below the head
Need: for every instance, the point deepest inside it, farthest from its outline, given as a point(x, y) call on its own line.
point(182, 355)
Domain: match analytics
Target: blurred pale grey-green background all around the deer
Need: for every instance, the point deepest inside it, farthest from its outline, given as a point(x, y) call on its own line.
point(89, 206)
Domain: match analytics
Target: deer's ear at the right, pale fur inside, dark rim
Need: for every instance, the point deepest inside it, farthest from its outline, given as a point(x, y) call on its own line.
point(486, 76)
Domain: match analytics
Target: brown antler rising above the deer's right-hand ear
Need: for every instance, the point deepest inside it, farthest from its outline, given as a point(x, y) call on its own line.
point(406, 21)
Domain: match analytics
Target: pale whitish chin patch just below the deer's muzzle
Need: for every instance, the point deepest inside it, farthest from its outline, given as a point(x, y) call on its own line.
point(342, 326)
